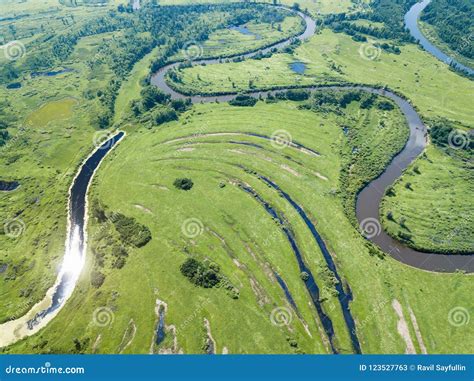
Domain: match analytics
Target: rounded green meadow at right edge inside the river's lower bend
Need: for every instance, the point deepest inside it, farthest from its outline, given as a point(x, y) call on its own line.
point(438, 205)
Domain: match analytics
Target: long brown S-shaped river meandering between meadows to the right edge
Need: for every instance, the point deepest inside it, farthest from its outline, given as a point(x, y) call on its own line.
point(369, 199)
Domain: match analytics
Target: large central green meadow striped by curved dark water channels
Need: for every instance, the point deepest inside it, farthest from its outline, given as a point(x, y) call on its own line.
point(136, 179)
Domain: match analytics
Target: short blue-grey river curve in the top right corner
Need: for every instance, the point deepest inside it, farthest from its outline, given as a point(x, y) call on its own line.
point(411, 23)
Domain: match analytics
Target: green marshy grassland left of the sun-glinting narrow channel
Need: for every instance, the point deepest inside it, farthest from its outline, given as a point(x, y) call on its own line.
point(50, 138)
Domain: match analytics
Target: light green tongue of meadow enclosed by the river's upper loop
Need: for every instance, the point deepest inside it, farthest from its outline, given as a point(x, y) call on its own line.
point(414, 73)
